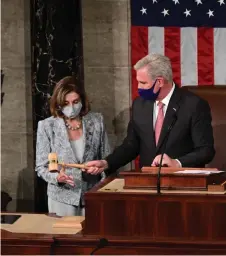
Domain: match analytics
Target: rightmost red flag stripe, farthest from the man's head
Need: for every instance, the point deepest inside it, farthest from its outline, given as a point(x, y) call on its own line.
point(205, 58)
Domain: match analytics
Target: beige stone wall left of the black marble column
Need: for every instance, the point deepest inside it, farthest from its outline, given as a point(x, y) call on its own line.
point(17, 176)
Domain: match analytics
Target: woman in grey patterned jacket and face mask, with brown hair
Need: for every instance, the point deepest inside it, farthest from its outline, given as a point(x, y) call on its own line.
point(76, 135)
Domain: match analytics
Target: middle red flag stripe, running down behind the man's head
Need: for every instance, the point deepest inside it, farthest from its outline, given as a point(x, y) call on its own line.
point(172, 50)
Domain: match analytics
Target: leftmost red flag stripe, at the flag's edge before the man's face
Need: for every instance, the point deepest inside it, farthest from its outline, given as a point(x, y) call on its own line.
point(139, 49)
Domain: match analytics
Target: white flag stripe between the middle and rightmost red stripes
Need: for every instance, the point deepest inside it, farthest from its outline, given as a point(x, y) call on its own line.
point(189, 70)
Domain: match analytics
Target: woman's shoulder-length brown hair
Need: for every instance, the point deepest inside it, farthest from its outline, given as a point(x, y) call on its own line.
point(67, 85)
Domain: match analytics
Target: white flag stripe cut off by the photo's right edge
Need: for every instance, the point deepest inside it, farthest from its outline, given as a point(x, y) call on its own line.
point(220, 56)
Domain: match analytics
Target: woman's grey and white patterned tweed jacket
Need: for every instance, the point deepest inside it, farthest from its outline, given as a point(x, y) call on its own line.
point(52, 137)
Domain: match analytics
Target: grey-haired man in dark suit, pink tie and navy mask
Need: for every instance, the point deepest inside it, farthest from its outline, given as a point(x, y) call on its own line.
point(162, 103)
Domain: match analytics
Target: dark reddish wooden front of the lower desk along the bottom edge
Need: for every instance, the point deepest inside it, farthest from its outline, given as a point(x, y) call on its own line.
point(42, 244)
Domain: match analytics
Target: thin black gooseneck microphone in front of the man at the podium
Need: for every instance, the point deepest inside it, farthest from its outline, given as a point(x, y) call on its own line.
point(164, 148)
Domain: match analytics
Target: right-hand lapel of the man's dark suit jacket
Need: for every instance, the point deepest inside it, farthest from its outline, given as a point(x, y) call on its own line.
point(173, 104)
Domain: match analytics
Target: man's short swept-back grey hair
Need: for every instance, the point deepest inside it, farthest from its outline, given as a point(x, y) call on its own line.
point(157, 65)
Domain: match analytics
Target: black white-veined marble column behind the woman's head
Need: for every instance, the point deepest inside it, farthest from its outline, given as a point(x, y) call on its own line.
point(57, 49)
